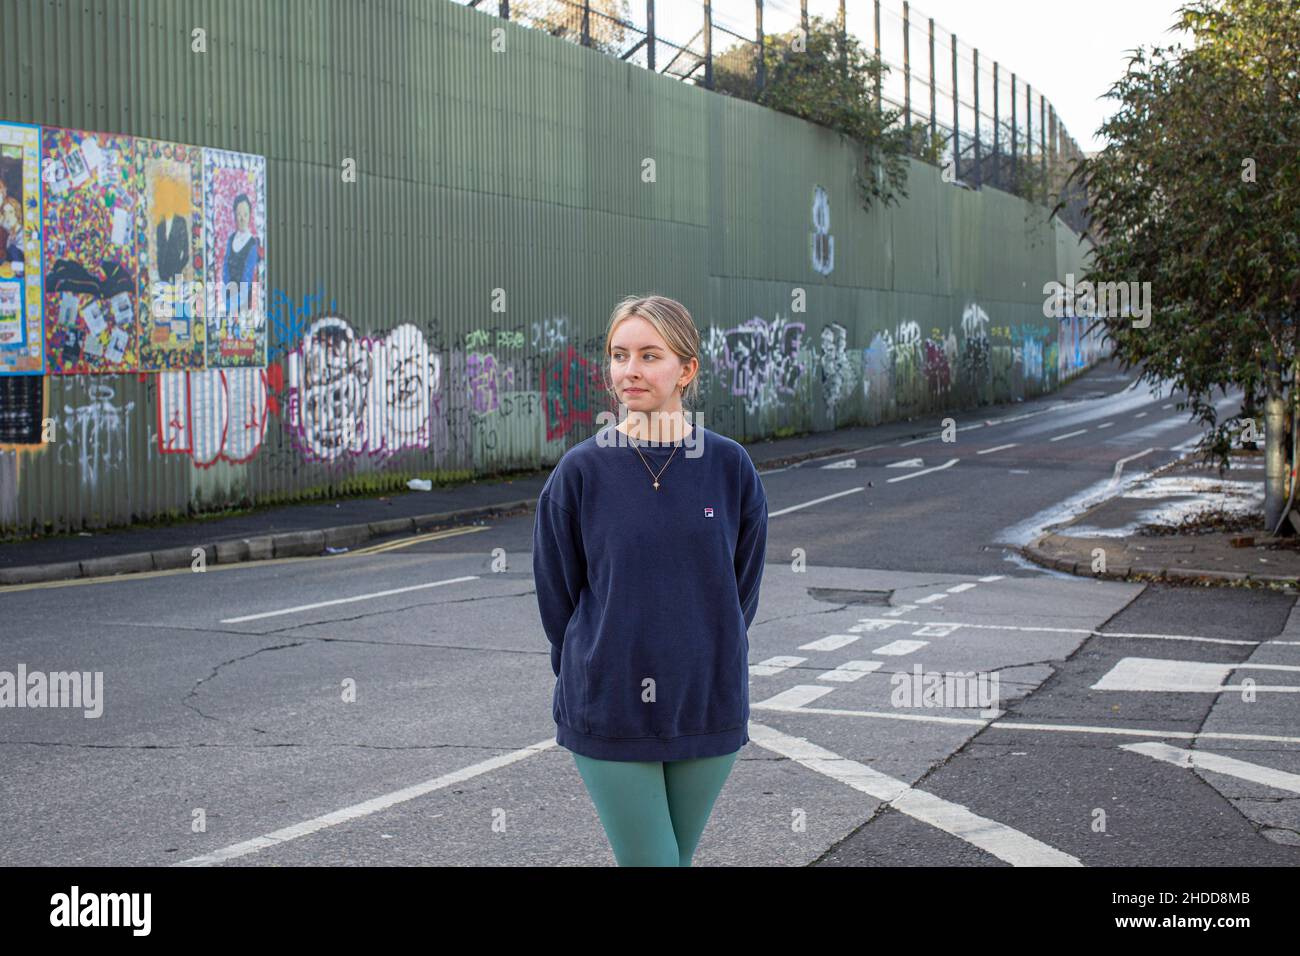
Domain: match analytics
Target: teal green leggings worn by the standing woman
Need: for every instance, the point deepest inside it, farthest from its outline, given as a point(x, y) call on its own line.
point(655, 812)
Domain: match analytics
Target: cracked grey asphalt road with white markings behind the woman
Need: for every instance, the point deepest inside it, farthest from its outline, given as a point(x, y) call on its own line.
point(392, 706)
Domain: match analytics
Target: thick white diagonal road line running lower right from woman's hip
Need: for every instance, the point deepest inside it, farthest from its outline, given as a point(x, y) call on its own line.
point(994, 838)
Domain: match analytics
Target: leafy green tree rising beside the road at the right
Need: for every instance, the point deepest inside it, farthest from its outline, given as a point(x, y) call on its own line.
point(1198, 193)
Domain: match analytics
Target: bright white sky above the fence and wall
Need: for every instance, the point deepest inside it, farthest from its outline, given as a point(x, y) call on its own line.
point(1069, 50)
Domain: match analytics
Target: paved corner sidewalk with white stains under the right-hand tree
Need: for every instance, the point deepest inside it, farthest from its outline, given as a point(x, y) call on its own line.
point(1233, 550)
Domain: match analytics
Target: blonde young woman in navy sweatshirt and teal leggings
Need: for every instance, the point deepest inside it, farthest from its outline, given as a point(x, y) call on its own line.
point(648, 557)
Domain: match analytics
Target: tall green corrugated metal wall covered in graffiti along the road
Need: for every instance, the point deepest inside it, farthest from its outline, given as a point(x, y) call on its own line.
point(515, 170)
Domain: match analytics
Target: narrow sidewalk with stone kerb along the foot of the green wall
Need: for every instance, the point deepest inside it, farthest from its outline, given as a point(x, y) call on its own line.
point(310, 529)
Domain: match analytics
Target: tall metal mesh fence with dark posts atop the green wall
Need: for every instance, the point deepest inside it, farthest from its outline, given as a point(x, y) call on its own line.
point(995, 127)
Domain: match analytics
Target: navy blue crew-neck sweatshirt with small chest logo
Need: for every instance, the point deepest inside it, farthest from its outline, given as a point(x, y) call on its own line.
point(647, 596)
